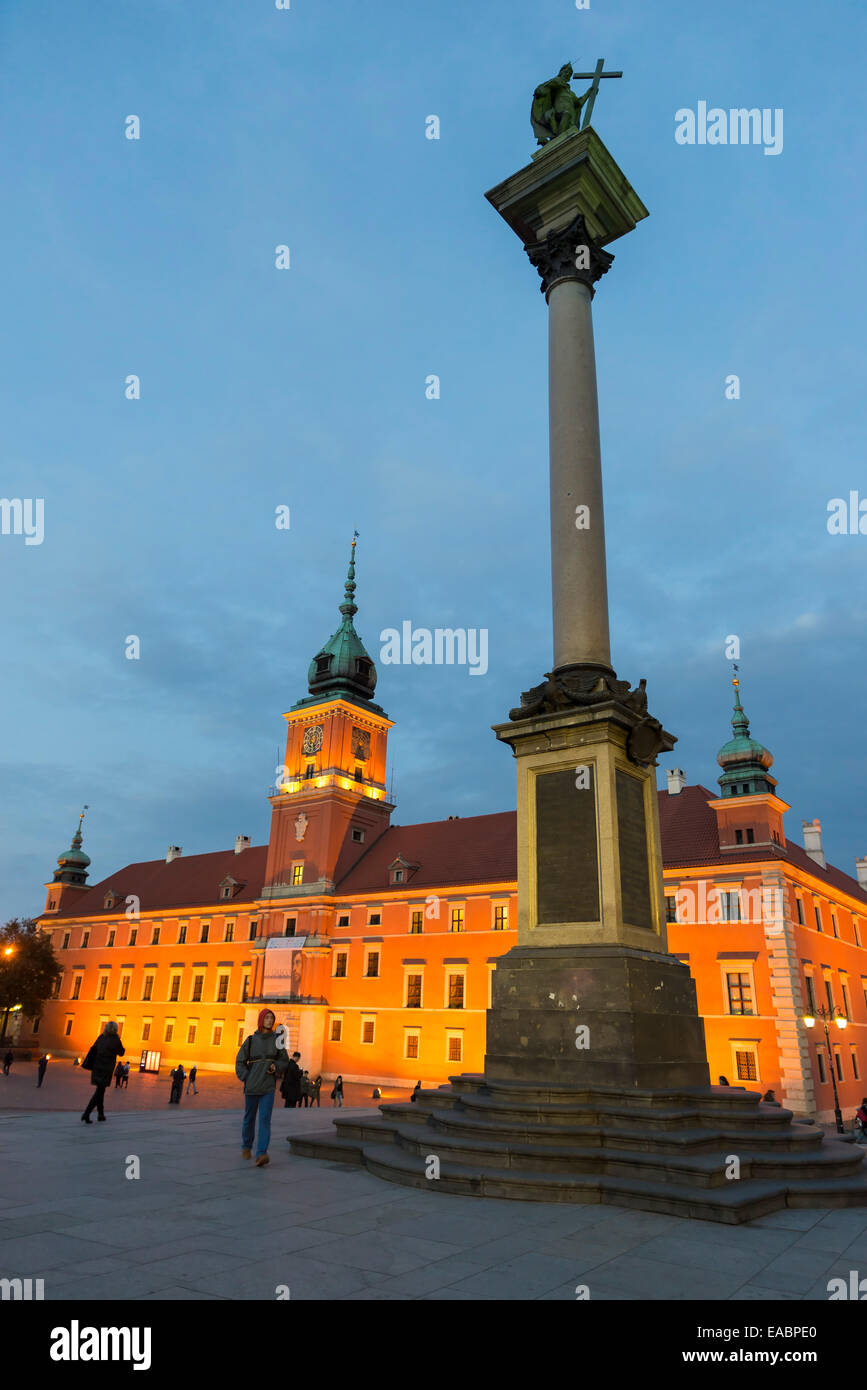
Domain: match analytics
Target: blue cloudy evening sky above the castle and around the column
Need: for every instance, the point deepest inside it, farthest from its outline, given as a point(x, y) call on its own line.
point(306, 389)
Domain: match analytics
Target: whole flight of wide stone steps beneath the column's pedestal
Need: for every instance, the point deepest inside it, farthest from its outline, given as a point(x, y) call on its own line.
point(662, 1150)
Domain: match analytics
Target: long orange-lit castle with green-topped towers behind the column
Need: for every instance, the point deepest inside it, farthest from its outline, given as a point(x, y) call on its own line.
point(374, 943)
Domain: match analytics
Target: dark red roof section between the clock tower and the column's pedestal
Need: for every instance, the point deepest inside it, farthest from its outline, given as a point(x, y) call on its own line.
point(469, 850)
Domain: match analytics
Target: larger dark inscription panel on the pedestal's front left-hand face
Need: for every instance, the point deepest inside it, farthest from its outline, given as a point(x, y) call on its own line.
point(568, 857)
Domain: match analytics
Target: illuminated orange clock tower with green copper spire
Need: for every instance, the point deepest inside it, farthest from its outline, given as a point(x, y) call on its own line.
point(330, 804)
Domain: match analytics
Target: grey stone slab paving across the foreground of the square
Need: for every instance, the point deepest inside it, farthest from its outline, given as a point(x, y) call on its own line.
point(201, 1223)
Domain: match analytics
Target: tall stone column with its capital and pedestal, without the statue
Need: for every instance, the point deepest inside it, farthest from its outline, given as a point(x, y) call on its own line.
point(593, 949)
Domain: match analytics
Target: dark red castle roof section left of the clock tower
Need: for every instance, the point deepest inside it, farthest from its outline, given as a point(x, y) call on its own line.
point(183, 883)
